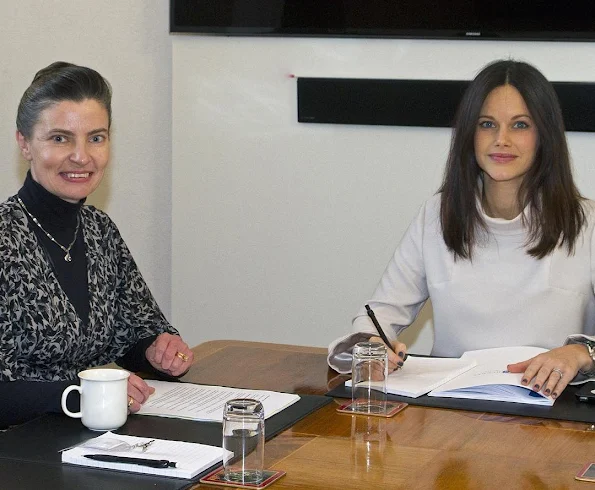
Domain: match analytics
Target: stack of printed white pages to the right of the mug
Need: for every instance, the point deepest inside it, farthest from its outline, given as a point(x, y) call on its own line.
point(204, 402)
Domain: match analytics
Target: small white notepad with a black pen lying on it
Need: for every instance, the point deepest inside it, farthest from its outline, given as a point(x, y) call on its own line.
point(190, 458)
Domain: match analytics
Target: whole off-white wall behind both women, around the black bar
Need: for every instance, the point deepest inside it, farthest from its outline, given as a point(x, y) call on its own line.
point(279, 230)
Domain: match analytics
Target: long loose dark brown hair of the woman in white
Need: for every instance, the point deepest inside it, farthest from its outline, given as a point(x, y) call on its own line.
point(556, 213)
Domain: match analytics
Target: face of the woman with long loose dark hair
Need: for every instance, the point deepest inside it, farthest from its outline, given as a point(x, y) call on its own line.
point(505, 138)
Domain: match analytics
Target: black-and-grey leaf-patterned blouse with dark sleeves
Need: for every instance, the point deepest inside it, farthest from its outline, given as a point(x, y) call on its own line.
point(43, 340)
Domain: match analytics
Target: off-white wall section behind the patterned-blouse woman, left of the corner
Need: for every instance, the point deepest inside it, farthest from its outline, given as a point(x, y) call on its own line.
point(128, 42)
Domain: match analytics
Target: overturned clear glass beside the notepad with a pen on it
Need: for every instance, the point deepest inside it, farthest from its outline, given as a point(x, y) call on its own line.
point(243, 435)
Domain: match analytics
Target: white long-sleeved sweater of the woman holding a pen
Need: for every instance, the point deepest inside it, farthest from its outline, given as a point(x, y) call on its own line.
point(502, 297)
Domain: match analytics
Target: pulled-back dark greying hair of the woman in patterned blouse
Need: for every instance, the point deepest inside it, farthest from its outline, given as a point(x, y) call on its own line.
point(58, 82)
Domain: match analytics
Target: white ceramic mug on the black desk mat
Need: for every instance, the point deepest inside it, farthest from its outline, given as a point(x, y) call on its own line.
point(104, 398)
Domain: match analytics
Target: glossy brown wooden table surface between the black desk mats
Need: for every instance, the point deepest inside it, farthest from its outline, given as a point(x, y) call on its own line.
point(420, 447)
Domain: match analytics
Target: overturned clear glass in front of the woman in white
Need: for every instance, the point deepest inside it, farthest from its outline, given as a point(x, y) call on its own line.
point(369, 370)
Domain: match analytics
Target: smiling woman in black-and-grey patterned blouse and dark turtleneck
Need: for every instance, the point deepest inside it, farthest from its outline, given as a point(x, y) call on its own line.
point(71, 295)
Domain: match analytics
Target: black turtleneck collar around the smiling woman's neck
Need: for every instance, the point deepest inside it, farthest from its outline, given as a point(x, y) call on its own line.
point(48, 208)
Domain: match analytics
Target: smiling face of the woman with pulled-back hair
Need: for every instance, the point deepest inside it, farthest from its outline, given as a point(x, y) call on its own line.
point(69, 148)
